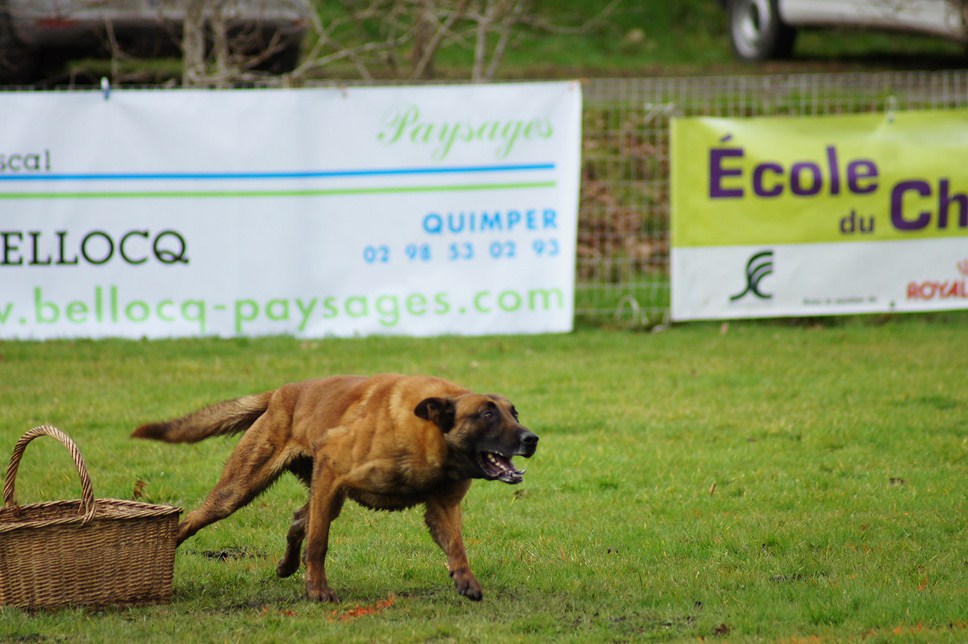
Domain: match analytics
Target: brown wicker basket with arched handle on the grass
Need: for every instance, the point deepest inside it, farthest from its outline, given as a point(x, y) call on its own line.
point(90, 552)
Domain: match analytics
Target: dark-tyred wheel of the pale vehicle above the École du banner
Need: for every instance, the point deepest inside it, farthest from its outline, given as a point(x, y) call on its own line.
point(756, 31)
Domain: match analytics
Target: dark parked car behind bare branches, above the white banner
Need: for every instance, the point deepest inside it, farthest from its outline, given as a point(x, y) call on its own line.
point(35, 31)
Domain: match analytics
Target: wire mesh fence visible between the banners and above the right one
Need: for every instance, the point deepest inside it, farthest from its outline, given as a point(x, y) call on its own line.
point(623, 237)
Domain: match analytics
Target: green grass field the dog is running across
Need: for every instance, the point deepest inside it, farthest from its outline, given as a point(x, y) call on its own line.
point(770, 481)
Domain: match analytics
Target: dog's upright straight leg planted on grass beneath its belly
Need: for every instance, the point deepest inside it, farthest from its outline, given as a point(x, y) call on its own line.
point(325, 499)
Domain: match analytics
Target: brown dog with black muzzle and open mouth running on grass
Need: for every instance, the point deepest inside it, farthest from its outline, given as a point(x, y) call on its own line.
point(388, 442)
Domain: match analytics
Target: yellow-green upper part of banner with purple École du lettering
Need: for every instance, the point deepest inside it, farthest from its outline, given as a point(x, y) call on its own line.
point(789, 180)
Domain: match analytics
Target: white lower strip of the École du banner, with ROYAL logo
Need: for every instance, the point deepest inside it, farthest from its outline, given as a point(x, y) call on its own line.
point(820, 279)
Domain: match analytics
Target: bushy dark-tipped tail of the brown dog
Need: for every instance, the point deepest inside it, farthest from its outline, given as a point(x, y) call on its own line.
point(227, 417)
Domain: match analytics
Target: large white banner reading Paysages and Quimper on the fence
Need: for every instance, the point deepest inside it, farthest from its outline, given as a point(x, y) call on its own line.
point(411, 211)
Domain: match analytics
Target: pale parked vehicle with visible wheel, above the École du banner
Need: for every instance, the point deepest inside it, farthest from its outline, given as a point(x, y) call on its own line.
point(764, 29)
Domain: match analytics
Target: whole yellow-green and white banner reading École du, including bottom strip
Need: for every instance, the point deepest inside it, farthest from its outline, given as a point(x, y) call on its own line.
point(826, 215)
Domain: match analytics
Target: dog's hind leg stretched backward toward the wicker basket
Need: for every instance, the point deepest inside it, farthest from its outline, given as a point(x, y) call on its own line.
point(253, 466)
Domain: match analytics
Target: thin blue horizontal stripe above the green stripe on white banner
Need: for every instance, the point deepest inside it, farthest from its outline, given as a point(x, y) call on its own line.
point(307, 174)
